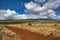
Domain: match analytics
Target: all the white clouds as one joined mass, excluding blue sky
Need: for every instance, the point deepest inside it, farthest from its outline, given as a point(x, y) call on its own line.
point(34, 11)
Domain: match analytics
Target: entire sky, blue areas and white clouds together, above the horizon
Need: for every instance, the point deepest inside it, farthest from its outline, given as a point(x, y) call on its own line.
point(29, 9)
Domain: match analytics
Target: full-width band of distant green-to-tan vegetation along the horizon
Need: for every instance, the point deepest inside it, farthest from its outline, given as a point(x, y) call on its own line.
point(28, 21)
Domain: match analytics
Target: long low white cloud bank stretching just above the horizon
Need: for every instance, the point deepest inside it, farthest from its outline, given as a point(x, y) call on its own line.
point(11, 14)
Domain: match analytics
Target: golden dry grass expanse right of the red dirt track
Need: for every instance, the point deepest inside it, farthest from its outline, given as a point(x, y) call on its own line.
point(41, 28)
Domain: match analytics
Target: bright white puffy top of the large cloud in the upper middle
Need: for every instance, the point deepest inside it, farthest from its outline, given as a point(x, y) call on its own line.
point(31, 6)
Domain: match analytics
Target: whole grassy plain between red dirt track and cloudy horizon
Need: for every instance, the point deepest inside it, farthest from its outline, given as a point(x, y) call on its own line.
point(41, 27)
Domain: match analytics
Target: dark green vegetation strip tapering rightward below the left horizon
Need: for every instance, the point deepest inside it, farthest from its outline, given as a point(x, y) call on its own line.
point(15, 21)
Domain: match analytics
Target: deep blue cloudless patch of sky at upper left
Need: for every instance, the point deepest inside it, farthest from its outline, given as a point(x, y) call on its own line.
point(17, 5)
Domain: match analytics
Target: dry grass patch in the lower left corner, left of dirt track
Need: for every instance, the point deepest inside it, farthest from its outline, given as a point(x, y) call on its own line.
point(6, 34)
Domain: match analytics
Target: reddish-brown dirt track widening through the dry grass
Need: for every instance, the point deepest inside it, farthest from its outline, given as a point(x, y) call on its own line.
point(27, 35)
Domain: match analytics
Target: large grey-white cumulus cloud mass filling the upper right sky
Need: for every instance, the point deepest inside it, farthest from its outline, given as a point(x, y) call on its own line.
point(47, 10)
